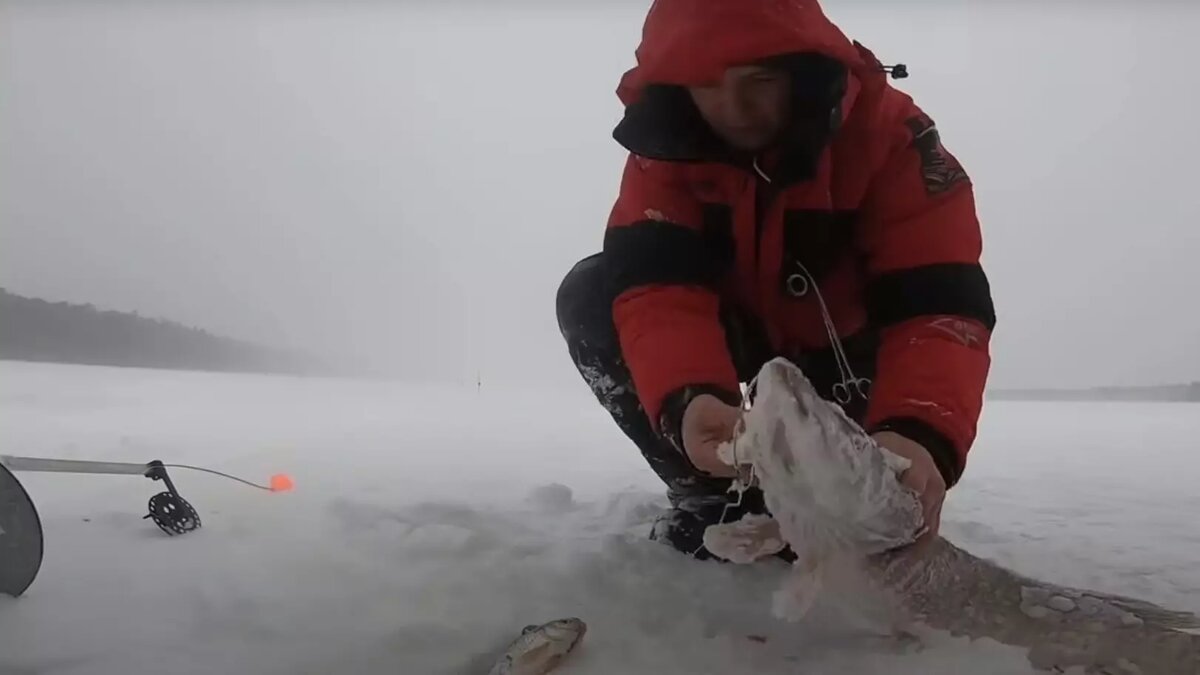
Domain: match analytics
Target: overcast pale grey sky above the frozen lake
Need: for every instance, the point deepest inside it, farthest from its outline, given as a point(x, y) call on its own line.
point(411, 183)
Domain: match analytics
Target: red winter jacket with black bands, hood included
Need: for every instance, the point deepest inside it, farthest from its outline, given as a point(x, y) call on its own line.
point(879, 224)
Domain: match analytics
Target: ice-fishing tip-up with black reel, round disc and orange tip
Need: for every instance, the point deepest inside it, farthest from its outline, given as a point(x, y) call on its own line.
point(21, 530)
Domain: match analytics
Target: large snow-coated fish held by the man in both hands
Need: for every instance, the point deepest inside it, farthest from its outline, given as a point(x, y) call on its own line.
point(836, 498)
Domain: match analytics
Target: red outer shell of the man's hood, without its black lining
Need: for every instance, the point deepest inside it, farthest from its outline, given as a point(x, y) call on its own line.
point(692, 43)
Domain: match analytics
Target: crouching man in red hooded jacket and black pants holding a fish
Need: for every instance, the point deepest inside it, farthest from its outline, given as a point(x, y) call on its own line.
point(781, 199)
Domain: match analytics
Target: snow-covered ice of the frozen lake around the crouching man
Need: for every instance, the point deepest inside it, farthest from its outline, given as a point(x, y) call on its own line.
point(431, 523)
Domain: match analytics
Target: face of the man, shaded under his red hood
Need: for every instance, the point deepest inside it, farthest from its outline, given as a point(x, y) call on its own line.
point(748, 109)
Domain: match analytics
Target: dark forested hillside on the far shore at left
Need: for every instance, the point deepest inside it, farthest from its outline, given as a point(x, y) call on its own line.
point(39, 331)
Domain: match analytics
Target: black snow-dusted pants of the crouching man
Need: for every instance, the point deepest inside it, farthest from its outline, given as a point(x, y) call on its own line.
point(585, 319)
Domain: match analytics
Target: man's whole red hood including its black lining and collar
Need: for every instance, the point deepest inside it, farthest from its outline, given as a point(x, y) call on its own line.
point(693, 43)
